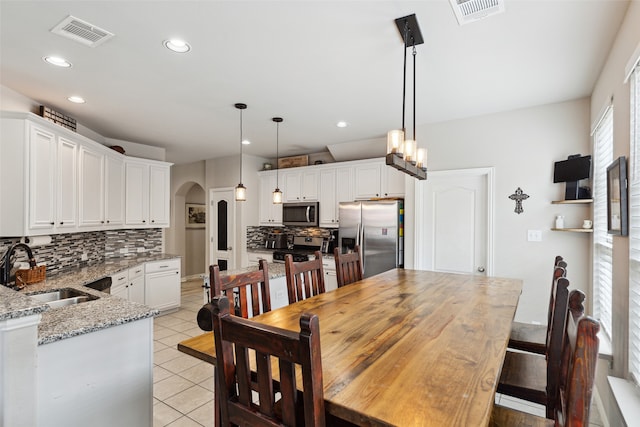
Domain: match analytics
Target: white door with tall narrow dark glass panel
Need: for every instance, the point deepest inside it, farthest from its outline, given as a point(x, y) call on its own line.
point(222, 214)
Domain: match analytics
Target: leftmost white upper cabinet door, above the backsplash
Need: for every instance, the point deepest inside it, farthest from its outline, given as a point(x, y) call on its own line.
point(42, 179)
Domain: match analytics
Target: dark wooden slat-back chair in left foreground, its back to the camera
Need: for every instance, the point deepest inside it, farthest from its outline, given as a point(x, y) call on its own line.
point(243, 345)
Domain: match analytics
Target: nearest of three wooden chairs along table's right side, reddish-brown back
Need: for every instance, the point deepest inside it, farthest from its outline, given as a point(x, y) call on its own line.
point(577, 376)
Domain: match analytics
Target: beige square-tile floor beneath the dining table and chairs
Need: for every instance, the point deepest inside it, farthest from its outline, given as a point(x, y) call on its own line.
point(183, 385)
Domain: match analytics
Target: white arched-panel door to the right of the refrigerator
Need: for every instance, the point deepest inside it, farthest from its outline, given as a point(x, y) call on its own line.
point(454, 222)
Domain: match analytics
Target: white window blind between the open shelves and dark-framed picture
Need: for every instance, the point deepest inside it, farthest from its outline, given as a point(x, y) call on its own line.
point(602, 251)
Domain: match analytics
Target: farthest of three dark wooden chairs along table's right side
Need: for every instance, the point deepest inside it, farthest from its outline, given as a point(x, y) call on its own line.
point(533, 338)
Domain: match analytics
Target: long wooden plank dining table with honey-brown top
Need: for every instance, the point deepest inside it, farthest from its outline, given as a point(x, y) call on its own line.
point(405, 347)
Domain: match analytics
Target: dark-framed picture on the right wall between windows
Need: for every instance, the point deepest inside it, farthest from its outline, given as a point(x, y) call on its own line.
point(617, 222)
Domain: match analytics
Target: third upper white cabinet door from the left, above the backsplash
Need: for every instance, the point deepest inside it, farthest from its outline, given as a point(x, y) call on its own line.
point(91, 198)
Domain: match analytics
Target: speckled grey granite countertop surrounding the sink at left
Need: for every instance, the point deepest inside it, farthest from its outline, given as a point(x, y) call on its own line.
point(66, 322)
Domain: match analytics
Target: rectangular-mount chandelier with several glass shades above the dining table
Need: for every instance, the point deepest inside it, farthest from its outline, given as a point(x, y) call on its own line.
point(403, 154)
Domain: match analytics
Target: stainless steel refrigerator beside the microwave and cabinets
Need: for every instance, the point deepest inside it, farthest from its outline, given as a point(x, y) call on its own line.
point(378, 228)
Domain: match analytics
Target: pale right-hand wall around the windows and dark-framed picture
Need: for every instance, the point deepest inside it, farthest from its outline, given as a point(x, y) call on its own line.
point(610, 84)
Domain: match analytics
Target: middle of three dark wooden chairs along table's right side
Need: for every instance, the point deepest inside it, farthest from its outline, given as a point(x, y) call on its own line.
point(535, 377)
